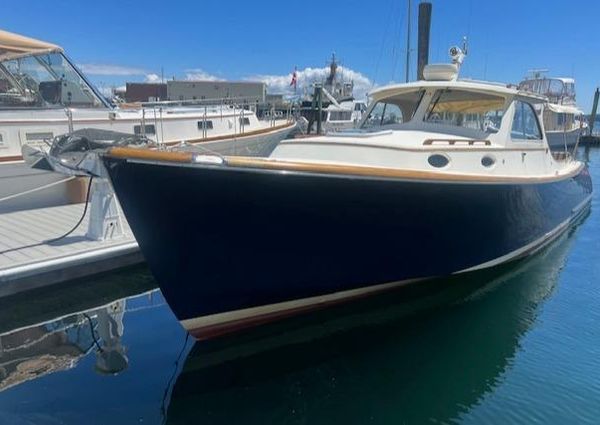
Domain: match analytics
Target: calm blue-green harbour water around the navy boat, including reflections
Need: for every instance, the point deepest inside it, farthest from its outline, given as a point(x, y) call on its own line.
point(518, 344)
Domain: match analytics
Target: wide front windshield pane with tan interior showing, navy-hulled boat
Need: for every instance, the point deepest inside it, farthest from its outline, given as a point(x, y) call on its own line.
point(461, 108)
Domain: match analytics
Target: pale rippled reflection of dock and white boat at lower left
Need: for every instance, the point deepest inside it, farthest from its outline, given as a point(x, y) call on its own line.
point(58, 345)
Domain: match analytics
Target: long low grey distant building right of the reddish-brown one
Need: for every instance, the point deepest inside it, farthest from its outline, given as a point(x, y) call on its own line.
point(199, 90)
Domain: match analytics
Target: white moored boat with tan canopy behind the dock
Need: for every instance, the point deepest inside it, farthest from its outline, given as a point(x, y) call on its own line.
point(43, 94)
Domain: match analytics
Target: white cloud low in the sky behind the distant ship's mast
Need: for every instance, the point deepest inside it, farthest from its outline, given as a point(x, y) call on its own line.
point(307, 76)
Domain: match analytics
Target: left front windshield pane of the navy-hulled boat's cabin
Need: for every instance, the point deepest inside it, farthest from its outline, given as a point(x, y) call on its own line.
point(393, 110)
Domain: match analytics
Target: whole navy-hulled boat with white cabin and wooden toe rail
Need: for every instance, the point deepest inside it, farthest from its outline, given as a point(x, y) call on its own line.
point(442, 176)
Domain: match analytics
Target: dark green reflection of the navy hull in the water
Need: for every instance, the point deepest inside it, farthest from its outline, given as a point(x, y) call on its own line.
point(373, 361)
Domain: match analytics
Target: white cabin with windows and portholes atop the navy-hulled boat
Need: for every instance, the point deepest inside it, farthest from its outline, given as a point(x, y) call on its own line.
point(455, 126)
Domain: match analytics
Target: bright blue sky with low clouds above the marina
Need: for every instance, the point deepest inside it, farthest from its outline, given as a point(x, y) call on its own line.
point(118, 41)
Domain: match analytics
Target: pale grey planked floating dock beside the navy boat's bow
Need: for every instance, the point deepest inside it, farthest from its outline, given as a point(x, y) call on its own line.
point(30, 259)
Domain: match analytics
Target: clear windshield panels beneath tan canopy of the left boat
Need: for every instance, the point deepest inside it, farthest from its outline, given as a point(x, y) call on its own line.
point(47, 80)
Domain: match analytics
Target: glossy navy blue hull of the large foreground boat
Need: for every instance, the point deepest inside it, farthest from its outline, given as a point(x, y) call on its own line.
point(231, 247)
